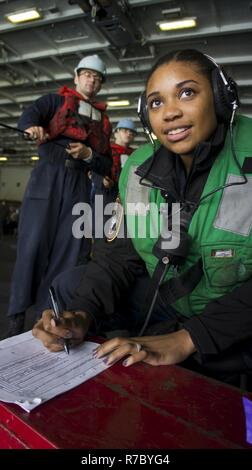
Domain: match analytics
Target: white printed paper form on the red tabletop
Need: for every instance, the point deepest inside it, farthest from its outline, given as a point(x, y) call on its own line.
point(31, 375)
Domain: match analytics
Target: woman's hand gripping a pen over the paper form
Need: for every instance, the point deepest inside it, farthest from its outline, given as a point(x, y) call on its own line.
point(72, 326)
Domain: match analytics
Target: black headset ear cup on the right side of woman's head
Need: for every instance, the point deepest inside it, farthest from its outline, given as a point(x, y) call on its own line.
point(225, 95)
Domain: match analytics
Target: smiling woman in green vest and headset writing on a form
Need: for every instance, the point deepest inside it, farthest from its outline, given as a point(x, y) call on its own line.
point(202, 163)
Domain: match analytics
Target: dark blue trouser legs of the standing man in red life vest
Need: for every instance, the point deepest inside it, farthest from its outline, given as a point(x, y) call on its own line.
point(46, 245)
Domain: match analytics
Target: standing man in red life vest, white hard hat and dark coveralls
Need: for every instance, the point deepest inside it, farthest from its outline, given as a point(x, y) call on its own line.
point(73, 133)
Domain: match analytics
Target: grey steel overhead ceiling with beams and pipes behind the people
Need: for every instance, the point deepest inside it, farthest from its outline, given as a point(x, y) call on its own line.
point(38, 57)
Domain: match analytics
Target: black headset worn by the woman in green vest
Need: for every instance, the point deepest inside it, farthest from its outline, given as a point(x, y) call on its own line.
point(224, 91)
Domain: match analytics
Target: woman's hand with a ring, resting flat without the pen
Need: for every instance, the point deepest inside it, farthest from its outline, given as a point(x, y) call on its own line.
point(155, 350)
